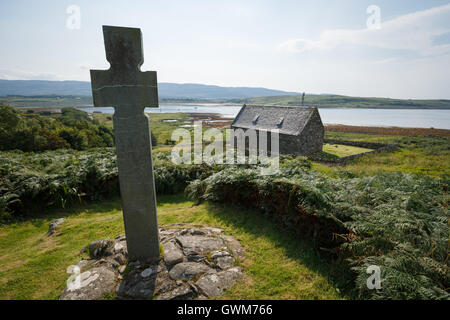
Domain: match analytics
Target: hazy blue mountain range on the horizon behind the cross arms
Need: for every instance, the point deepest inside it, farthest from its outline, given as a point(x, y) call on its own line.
point(166, 90)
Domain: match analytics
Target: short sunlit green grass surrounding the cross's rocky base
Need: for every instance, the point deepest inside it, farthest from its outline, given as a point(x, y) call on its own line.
point(278, 265)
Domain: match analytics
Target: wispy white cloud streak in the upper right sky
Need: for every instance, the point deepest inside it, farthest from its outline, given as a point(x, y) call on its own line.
point(414, 32)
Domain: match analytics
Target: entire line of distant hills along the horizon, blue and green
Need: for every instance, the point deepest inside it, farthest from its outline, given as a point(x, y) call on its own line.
point(54, 94)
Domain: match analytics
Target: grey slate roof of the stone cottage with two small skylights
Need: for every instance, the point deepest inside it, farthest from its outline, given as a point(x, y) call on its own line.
point(288, 120)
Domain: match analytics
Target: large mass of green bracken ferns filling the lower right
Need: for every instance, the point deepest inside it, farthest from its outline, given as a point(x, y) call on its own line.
point(396, 221)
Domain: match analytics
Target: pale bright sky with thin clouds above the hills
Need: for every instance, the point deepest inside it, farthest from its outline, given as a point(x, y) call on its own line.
point(375, 48)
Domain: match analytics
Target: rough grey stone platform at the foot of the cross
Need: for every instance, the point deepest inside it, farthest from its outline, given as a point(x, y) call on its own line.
point(196, 263)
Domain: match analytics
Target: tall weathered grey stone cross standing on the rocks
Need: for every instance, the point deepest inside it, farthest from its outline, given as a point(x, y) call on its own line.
point(129, 91)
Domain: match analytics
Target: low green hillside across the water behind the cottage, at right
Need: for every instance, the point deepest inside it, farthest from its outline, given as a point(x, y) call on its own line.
point(336, 101)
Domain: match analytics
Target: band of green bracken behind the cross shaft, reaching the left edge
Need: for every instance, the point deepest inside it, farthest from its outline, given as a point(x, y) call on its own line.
point(33, 182)
